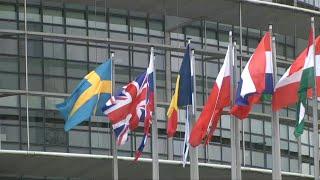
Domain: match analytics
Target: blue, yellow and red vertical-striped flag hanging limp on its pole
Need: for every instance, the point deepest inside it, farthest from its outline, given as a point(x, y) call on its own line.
point(182, 95)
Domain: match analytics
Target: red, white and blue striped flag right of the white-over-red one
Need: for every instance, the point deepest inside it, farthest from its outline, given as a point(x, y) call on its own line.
point(256, 79)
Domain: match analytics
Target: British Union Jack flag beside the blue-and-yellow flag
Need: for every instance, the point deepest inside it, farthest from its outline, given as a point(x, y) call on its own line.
point(133, 104)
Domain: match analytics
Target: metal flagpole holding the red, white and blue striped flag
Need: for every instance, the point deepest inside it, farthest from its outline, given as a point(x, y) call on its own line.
point(276, 155)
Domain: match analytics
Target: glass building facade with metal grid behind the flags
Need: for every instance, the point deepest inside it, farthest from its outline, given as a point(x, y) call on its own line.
point(67, 39)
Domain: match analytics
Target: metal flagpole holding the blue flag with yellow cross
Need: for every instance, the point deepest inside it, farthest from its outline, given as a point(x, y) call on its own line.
point(114, 144)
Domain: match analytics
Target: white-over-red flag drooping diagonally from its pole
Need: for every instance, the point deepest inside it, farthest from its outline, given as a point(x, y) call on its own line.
point(218, 99)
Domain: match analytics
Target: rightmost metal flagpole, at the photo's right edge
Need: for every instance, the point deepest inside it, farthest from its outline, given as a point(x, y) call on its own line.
point(315, 113)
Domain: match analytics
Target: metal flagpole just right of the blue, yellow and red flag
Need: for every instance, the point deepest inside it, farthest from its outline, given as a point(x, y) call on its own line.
point(194, 168)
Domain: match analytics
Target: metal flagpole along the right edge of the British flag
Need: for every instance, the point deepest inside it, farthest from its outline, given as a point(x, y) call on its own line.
point(155, 158)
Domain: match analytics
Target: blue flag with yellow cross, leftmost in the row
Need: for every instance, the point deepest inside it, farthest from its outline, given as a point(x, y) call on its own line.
point(87, 98)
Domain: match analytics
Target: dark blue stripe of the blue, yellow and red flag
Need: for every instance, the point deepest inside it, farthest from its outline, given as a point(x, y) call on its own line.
point(185, 83)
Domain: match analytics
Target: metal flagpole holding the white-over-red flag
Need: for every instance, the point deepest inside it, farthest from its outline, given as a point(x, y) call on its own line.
point(235, 164)
